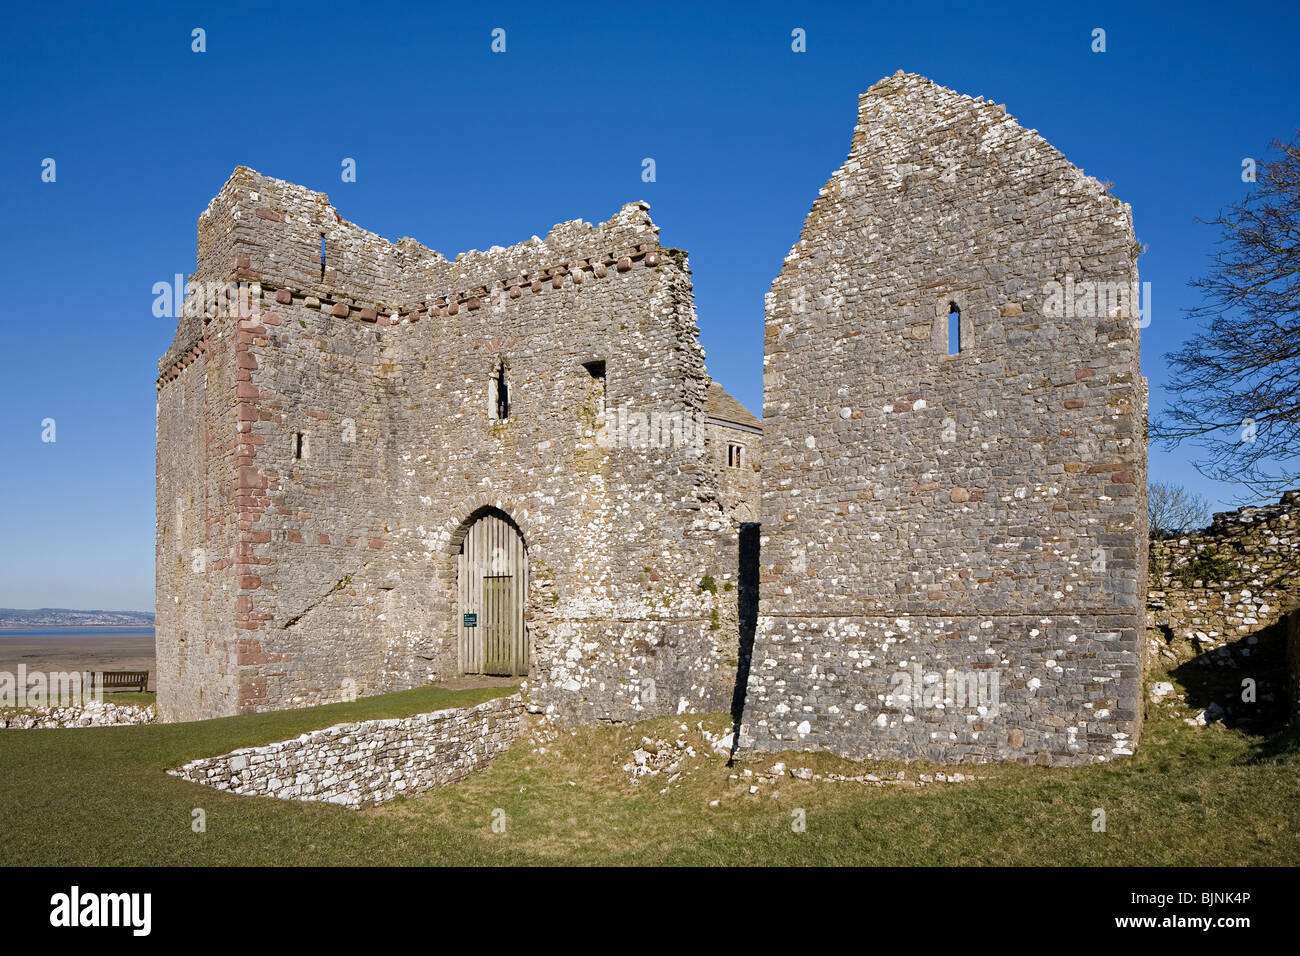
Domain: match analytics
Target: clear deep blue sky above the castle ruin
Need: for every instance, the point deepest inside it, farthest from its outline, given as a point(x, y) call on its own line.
point(463, 149)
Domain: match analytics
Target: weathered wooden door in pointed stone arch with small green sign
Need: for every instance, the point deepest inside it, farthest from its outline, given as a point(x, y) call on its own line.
point(492, 589)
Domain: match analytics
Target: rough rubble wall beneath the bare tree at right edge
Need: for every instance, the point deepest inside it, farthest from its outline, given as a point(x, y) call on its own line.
point(1258, 555)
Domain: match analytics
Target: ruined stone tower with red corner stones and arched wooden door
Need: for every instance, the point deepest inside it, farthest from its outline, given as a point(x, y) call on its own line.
point(379, 469)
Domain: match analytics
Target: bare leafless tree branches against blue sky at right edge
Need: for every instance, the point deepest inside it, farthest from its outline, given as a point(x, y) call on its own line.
point(1237, 384)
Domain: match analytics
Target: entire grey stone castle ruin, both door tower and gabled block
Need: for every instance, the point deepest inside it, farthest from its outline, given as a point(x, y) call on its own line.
point(379, 468)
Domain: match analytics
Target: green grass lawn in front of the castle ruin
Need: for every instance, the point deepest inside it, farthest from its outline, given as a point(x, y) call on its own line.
point(1190, 797)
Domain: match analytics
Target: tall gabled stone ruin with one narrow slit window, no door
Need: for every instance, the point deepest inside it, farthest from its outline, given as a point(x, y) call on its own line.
point(954, 507)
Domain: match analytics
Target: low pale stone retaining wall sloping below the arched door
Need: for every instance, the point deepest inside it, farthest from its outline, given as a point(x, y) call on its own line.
point(371, 762)
